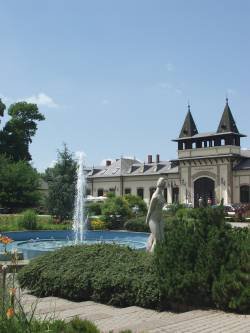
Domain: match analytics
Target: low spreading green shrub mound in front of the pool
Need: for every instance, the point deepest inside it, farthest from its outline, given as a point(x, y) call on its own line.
point(105, 273)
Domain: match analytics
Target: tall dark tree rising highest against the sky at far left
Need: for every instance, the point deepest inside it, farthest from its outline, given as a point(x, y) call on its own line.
point(17, 133)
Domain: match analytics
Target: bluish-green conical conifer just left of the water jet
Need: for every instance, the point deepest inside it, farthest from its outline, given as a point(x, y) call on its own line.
point(61, 179)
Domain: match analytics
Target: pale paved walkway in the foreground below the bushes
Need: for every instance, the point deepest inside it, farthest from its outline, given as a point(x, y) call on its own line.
point(137, 319)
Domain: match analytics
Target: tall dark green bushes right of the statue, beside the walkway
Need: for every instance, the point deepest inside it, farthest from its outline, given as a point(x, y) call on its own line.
point(199, 249)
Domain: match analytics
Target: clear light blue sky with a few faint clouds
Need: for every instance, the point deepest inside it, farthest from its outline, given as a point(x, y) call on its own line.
point(113, 78)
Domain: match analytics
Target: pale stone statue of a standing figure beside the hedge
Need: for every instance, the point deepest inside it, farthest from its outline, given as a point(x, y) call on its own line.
point(154, 215)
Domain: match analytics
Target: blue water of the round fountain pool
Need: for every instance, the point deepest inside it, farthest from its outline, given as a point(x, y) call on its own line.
point(35, 243)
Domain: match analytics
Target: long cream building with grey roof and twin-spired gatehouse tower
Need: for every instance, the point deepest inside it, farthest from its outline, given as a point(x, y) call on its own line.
point(211, 166)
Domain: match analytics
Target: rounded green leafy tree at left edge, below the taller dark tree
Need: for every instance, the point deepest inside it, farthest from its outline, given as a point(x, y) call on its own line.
point(19, 184)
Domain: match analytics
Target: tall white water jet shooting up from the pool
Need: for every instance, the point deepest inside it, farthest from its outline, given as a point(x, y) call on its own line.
point(79, 219)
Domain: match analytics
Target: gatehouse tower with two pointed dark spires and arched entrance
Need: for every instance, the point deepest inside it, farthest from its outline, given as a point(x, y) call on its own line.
point(206, 160)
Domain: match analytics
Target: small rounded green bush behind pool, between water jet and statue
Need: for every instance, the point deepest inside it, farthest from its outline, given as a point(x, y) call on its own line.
point(115, 211)
